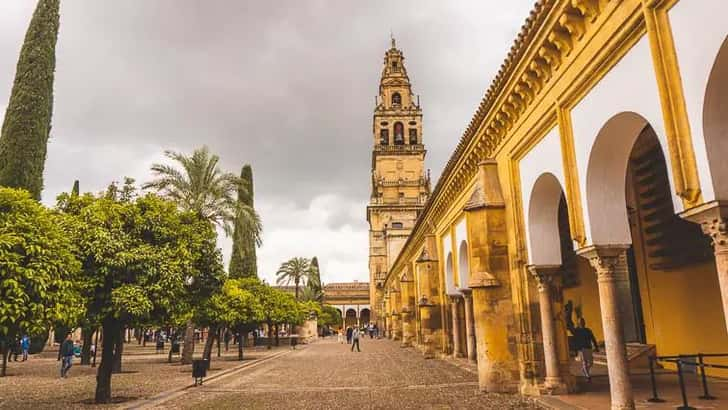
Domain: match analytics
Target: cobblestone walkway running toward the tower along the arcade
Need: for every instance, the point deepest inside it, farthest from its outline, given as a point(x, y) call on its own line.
point(327, 375)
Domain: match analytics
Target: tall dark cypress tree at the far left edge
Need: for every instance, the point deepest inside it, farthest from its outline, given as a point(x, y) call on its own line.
point(27, 124)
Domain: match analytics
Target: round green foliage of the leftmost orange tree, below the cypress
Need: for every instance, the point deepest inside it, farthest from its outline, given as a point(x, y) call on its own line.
point(38, 269)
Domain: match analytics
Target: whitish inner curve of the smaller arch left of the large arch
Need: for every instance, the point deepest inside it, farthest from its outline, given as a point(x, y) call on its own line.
point(543, 214)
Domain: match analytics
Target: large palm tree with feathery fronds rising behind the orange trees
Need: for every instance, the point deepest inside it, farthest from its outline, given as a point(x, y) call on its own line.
point(201, 187)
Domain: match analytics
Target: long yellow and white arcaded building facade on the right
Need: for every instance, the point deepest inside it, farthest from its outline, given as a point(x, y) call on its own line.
point(592, 183)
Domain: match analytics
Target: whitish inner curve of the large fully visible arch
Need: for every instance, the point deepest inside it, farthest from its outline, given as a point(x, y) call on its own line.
point(606, 178)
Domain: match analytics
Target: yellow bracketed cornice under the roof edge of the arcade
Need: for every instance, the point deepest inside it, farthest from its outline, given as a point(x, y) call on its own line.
point(550, 34)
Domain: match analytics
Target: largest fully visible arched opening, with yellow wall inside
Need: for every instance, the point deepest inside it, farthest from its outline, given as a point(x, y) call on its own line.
point(667, 287)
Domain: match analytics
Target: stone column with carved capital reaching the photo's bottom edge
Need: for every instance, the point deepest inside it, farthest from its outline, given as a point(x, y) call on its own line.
point(604, 259)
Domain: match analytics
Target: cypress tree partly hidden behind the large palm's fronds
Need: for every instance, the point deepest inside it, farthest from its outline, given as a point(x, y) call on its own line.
point(243, 261)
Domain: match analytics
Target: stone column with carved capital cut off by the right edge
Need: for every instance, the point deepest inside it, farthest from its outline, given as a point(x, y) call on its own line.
point(712, 218)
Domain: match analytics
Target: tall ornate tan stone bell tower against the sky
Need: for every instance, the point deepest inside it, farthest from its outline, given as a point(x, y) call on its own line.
point(400, 184)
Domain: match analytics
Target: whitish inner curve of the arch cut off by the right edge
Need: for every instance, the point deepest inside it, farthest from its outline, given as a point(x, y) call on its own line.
point(715, 122)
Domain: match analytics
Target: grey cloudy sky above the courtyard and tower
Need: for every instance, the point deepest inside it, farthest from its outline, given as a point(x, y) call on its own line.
point(287, 86)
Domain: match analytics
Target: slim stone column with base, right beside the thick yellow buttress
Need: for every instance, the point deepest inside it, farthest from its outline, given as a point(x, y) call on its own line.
point(544, 274)
